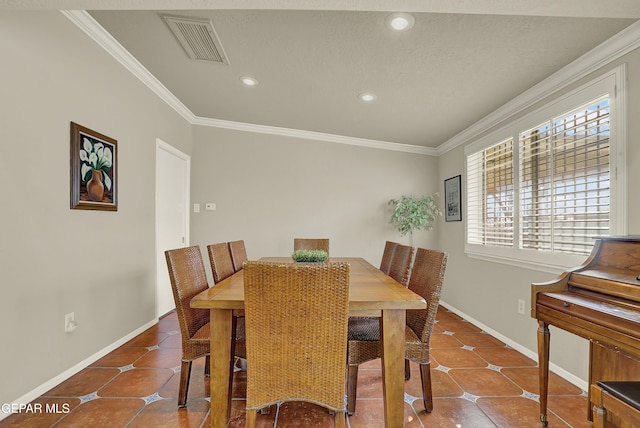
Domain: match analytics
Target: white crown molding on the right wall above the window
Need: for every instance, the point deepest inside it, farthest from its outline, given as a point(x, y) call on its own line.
point(603, 54)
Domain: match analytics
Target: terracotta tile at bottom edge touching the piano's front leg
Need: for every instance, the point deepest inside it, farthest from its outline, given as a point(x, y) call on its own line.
point(518, 412)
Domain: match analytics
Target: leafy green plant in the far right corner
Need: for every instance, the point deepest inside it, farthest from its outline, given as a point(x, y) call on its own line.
point(411, 214)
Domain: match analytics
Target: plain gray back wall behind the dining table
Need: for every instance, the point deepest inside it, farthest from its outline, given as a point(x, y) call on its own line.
point(271, 189)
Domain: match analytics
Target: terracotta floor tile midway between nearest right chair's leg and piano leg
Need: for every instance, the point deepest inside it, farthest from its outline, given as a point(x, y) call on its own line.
point(484, 382)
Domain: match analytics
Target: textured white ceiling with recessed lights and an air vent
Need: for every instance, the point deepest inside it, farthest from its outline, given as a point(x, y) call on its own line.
point(460, 62)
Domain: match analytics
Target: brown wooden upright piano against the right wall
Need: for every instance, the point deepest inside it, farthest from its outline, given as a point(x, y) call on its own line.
point(599, 301)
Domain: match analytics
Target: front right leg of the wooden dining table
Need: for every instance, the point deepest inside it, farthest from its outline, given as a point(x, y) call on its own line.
point(393, 325)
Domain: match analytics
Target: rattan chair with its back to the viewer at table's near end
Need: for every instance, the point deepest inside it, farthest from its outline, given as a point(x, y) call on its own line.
point(296, 329)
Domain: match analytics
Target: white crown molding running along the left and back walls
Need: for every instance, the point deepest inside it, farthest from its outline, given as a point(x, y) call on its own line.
point(93, 29)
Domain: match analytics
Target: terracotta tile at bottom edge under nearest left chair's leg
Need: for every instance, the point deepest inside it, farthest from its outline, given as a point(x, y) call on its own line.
point(166, 414)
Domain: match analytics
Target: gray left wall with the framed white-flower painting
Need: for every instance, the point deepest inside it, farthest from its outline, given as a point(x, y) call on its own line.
point(54, 260)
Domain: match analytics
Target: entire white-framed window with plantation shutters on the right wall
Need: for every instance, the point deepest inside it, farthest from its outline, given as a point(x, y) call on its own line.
point(543, 188)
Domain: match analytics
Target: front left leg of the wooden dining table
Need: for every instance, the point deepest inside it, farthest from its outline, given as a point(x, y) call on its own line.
point(222, 354)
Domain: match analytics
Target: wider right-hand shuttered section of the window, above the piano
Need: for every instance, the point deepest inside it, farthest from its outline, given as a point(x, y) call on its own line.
point(564, 181)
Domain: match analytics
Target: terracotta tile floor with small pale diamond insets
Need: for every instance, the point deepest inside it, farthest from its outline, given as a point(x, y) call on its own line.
point(478, 381)
